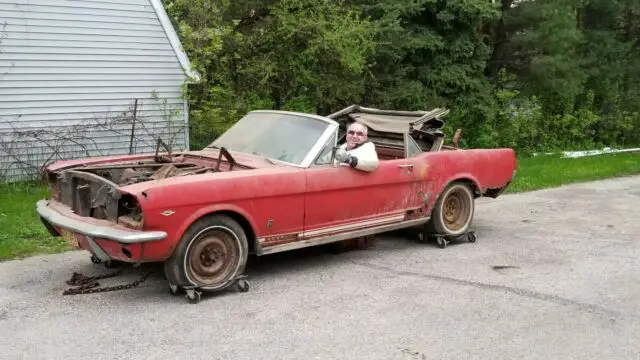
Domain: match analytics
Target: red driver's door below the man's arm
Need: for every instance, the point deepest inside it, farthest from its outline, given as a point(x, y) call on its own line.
point(342, 199)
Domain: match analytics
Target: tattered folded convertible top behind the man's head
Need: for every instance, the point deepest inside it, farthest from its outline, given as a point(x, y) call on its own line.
point(392, 121)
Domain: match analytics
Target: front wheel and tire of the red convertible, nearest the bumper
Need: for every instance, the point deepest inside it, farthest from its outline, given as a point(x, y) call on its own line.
point(211, 255)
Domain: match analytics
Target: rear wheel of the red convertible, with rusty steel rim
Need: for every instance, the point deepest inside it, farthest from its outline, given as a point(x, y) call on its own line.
point(453, 212)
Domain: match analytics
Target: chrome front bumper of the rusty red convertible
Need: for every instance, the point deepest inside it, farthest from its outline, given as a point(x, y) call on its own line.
point(100, 230)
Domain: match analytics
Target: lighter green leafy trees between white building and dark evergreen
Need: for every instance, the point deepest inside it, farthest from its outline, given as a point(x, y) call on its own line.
point(300, 55)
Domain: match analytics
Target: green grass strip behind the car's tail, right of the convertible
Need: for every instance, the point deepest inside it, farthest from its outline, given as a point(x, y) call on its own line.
point(548, 171)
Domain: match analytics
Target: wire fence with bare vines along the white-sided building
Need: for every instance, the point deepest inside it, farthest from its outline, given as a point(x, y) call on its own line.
point(27, 146)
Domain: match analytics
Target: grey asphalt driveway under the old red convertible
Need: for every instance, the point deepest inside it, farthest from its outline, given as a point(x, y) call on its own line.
point(555, 274)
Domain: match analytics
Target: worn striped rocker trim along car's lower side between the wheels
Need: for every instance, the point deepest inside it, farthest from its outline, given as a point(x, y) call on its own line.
point(339, 237)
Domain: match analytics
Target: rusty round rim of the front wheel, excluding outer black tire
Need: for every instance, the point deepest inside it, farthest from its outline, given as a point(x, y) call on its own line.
point(213, 257)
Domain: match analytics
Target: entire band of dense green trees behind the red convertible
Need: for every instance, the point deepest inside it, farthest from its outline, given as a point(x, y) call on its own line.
point(538, 75)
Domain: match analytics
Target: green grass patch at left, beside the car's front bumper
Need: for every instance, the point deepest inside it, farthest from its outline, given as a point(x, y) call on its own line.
point(21, 232)
